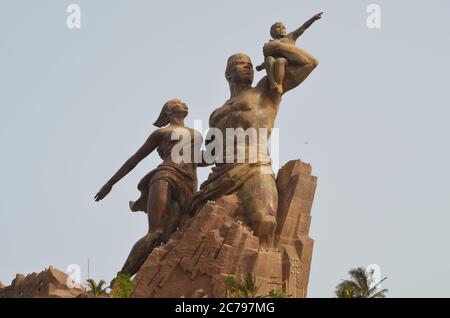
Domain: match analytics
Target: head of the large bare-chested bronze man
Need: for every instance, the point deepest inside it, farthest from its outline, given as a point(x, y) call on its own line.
point(239, 69)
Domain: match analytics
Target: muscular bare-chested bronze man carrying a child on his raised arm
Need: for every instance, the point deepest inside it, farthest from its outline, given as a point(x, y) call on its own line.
point(253, 107)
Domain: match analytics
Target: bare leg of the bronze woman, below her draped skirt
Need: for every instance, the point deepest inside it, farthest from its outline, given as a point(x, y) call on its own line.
point(158, 201)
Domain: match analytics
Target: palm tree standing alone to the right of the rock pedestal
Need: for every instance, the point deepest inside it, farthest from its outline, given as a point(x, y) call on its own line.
point(359, 286)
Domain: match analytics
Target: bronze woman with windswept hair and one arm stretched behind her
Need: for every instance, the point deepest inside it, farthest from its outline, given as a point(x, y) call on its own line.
point(166, 191)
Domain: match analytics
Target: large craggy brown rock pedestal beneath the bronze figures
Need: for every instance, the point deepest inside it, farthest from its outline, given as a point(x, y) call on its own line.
point(216, 243)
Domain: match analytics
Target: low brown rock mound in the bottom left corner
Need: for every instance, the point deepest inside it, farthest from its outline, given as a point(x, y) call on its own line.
point(51, 283)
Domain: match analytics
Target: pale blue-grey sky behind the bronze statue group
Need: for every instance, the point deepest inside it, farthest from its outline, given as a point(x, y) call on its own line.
point(372, 120)
